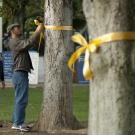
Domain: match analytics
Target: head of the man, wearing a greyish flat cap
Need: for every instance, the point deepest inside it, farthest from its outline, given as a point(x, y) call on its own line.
point(14, 29)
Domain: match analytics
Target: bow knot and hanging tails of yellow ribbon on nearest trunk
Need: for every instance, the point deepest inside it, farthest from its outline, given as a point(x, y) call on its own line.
point(87, 47)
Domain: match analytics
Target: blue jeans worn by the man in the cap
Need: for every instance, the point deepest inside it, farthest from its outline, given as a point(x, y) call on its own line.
point(21, 84)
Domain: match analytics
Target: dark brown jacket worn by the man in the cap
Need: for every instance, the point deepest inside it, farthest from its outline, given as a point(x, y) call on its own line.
point(19, 48)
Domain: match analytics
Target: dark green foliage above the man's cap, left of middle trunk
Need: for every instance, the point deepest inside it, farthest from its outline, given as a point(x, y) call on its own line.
point(20, 11)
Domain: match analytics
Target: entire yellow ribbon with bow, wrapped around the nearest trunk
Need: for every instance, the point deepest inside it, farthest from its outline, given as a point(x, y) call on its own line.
point(92, 46)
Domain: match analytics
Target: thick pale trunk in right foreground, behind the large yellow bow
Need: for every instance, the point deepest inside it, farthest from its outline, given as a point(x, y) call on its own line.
point(112, 89)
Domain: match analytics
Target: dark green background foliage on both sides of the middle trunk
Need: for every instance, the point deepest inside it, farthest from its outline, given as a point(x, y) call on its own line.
point(25, 11)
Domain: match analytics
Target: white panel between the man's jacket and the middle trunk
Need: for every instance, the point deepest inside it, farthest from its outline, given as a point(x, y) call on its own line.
point(33, 76)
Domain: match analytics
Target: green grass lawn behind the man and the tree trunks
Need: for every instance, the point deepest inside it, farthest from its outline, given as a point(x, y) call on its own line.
point(80, 103)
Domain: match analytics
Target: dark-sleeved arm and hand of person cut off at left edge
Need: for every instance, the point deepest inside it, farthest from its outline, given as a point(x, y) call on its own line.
point(2, 72)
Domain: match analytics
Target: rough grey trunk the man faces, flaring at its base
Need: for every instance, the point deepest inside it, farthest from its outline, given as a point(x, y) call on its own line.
point(57, 102)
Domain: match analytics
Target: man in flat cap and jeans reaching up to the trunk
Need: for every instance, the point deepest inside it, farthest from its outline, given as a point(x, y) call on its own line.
point(21, 66)
